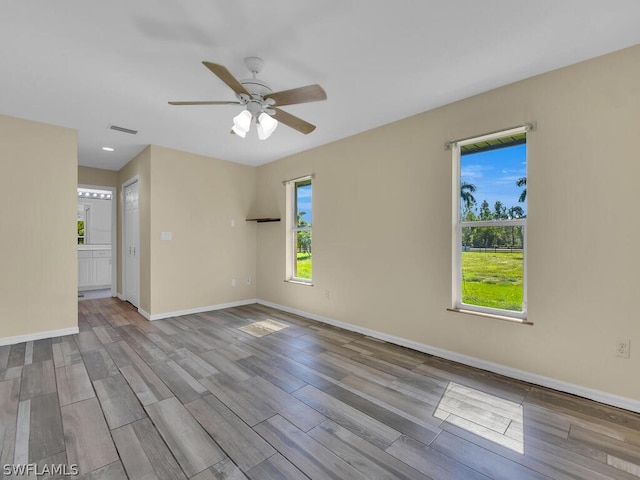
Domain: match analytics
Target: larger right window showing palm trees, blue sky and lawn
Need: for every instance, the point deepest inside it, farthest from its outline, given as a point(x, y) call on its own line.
point(490, 224)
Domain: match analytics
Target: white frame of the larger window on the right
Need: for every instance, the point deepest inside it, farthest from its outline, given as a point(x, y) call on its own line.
point(458, 225)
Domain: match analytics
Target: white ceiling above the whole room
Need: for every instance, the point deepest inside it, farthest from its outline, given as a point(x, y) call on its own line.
point(89, 64)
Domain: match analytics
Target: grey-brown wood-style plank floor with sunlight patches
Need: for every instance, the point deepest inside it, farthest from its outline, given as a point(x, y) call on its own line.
point(198, 397)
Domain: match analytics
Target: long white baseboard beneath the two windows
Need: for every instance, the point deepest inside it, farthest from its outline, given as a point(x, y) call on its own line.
point(596, 395)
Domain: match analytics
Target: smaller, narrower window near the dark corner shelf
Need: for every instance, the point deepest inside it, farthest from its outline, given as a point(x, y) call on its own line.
point(299, 209)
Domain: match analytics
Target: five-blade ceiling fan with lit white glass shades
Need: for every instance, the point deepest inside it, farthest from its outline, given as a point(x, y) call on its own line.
point(262, 104)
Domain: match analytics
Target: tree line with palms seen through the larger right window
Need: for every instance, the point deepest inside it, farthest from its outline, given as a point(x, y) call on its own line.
point(491, 237)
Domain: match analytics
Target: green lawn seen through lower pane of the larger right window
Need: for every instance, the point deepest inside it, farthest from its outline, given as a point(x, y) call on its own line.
point(493, 279)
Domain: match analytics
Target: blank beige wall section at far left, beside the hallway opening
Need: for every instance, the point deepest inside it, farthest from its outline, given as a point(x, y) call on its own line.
point(39, 273)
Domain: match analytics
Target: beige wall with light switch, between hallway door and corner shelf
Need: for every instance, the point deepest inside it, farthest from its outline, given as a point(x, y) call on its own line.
point(196, 198)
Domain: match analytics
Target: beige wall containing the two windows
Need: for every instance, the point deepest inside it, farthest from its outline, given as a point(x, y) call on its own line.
point(382, 227)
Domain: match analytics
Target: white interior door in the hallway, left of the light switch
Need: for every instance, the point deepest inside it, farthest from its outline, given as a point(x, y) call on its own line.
point(131, 244)
